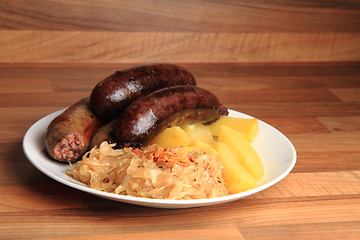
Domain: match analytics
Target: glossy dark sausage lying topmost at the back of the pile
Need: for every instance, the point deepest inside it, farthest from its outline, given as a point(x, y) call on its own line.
point(113, 94)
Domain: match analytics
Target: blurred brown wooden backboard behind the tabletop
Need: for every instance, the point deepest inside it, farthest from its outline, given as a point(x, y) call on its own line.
point(191, 31)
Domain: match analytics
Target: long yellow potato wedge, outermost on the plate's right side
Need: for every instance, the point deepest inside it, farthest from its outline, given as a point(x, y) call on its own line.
point(246, 154)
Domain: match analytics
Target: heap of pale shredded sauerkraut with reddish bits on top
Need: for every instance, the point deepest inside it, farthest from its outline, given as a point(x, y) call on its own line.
point(151, 172)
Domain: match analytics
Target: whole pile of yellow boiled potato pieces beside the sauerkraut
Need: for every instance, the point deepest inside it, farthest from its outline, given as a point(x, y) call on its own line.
point(243, 167)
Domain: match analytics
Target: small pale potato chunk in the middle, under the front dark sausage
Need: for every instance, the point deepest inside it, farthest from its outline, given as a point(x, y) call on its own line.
point(199, 131)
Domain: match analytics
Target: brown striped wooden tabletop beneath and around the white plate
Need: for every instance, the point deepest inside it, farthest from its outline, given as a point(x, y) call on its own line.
point(317, 106)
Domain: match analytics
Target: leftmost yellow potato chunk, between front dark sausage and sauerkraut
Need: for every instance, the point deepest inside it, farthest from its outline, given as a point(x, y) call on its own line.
point(171, 137)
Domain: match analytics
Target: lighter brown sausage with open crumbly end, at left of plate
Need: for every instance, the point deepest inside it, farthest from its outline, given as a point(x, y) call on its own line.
point(68, 135)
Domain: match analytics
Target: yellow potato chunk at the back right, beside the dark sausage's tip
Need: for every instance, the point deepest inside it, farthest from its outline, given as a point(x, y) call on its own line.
point(247, 126)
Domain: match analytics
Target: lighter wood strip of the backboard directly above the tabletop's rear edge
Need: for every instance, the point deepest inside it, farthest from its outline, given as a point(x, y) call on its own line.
point(137, 47)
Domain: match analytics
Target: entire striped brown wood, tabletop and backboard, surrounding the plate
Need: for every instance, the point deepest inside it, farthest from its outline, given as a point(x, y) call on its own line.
point(293, 64)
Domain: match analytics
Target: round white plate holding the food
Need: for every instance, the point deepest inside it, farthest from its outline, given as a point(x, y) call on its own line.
point(276, 151)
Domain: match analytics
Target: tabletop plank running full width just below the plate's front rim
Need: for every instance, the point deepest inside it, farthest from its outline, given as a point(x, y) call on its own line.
point(124, 219)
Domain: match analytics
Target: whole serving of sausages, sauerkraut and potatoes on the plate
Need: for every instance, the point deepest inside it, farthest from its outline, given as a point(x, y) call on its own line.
point(153, 133)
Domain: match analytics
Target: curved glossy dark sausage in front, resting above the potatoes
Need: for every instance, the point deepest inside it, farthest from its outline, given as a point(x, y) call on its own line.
point(149, 115)
